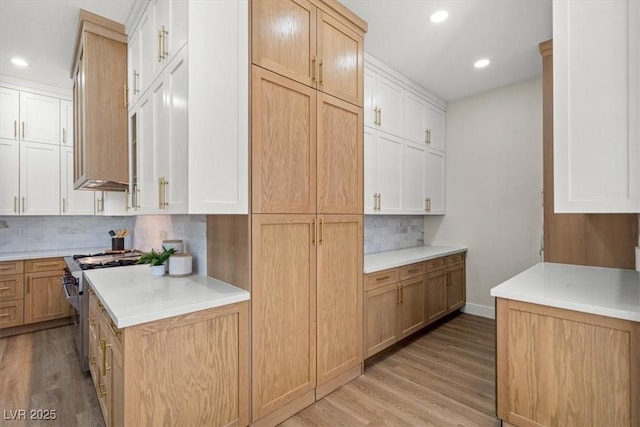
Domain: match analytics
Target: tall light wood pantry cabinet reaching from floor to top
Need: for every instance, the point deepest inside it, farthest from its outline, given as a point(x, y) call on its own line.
point(303, 239)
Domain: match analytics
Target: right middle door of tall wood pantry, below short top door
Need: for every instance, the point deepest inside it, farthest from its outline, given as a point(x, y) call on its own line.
point(340, 159)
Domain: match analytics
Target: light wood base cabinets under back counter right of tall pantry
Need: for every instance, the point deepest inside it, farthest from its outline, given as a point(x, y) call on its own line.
point(403, 300)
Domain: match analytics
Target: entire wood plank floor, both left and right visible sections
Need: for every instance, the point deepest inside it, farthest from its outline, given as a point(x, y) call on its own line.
point(442, 377)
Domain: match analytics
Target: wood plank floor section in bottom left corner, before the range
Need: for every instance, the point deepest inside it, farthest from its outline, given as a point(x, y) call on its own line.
point(40, 371)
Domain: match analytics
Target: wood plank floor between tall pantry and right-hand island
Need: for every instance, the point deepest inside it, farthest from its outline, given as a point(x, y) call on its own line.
point(444, 376)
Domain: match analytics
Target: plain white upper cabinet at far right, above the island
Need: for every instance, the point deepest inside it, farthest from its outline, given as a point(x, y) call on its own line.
point(596, 69)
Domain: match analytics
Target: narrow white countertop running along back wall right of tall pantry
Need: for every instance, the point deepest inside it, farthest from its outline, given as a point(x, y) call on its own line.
point(391, 259)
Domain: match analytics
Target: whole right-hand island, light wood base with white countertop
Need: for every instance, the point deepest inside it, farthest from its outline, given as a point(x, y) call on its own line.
point(568, 347)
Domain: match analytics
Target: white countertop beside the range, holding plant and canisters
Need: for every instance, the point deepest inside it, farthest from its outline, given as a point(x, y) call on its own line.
point(133, 296)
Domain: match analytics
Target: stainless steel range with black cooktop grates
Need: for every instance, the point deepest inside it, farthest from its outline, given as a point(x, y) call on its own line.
point(78, 296)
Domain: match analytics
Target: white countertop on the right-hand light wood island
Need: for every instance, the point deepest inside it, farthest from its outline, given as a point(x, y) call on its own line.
point(604, 291)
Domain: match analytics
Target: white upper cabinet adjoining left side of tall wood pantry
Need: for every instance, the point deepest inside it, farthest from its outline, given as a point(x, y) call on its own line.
point(191, 133)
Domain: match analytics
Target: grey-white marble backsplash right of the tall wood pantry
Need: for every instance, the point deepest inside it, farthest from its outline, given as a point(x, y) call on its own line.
point(390, 232)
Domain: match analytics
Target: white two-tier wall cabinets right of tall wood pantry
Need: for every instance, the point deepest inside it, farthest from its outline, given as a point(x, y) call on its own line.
point(405, 149)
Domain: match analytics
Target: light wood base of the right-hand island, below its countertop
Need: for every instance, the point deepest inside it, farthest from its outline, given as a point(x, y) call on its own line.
point(557, 367)
